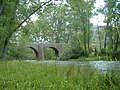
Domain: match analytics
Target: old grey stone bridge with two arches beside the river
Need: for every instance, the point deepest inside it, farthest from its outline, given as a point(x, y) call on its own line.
point(39, 49)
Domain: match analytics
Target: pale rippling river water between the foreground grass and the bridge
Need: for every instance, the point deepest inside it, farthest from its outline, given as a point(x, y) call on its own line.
point(99, 65)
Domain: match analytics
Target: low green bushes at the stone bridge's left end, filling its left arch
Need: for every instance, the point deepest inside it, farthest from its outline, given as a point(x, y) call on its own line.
point(20, 51)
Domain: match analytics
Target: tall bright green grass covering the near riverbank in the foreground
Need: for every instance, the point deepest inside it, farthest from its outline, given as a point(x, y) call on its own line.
point(20, 75)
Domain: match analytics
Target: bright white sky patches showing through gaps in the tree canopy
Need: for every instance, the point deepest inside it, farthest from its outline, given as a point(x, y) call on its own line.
point(95, 20)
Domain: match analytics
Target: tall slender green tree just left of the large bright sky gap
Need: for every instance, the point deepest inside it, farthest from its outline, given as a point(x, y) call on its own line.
point(83, 9)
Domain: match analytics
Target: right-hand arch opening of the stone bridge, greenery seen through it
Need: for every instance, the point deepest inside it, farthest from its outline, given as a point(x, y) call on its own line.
point(51, 53)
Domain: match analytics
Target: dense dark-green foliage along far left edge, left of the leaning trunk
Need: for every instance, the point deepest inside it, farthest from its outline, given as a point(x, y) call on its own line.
point(7, 22)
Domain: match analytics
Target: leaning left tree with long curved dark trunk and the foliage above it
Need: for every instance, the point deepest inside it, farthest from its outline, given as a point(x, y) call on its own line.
point(9, 21)
